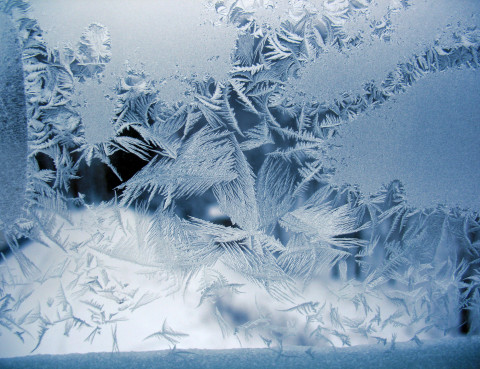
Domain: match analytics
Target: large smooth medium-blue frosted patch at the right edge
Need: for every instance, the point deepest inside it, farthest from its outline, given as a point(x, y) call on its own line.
point(426, 137)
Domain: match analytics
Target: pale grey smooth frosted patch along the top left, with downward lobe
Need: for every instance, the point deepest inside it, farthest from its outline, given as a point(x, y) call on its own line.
point(170, 41)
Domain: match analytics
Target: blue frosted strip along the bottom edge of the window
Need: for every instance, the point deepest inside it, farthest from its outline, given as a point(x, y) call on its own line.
point(458, 353)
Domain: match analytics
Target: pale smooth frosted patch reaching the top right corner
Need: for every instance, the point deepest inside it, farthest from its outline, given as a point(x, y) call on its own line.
point(408, 32)
